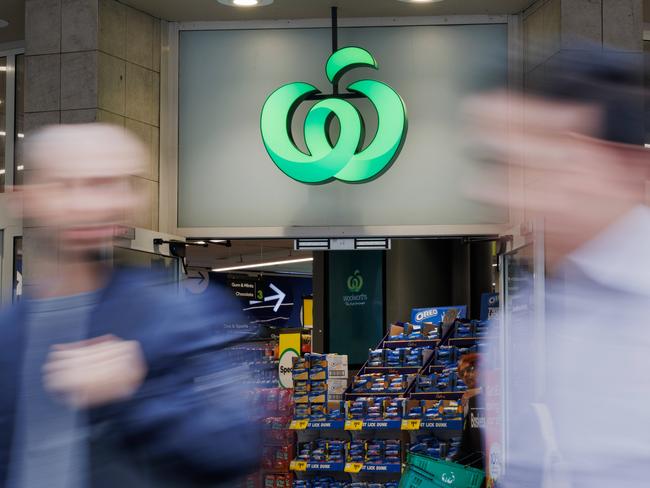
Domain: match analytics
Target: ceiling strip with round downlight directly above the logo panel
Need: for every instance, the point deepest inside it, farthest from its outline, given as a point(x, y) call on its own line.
point(194, 10)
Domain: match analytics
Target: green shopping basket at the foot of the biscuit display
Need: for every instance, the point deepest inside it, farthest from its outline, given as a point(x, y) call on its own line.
point(426, 472)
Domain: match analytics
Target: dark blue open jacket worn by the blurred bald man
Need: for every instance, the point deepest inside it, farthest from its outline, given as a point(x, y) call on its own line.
point(171, 429)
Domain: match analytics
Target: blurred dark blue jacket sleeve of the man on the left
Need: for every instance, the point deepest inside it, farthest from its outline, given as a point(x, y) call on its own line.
point(192, 415)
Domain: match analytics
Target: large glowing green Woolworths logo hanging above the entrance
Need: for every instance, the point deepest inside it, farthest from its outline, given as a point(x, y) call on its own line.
point(344, 160)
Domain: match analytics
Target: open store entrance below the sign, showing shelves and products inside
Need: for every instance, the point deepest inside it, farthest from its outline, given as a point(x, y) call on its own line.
point(378, 343)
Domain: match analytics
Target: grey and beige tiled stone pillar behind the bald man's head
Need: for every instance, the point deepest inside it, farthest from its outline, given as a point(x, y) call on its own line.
point(96, 61)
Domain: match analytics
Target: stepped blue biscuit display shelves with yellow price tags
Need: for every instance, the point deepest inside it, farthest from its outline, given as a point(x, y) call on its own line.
point(399, 420)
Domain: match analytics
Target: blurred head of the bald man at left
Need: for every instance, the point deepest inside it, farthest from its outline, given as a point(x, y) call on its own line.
point(80, 185)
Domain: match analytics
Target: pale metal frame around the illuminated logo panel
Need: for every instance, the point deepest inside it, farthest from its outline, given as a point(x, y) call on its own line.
point(169, 163)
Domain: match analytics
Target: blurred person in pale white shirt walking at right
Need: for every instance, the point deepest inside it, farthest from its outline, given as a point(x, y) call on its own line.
point(579, 139)
